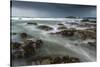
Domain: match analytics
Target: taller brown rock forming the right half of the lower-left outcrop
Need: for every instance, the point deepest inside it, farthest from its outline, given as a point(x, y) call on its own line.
point(31, 46)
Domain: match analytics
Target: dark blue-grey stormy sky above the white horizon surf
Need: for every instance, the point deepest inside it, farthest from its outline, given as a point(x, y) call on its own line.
point(50, 10)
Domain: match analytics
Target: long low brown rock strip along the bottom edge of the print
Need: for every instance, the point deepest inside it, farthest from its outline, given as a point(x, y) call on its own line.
point(56, 59)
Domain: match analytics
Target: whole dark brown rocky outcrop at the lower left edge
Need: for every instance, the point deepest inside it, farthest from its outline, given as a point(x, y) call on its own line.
point(27, 49)
